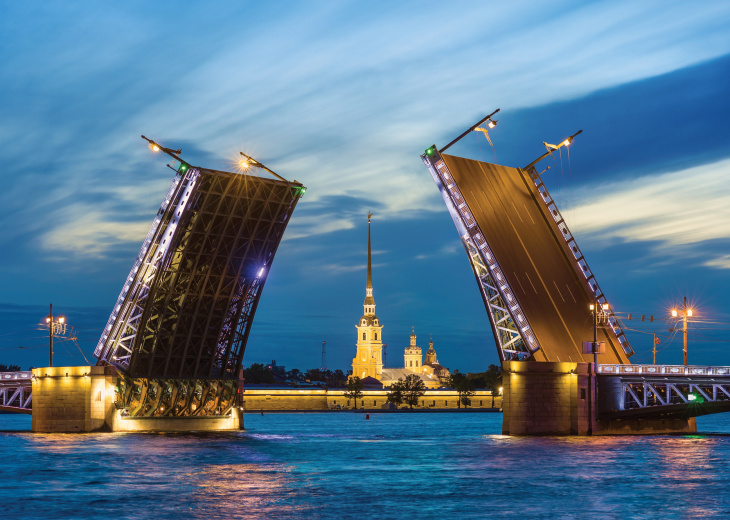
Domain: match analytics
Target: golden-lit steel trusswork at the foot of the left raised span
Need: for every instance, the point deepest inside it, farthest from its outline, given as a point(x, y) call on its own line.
point(174, 397)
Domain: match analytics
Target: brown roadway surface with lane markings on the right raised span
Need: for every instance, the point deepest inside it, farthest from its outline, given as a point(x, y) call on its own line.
point(536, 261)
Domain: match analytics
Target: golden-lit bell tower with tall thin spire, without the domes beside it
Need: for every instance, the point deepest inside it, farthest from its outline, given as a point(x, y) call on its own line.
point(368, 361)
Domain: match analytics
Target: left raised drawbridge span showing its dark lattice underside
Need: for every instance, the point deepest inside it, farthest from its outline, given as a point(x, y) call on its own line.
point(186, 308)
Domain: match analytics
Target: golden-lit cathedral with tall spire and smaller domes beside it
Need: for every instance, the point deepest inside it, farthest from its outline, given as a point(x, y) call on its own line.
point(368, 360)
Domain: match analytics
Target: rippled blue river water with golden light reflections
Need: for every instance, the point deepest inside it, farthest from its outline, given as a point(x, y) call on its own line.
point(340, 465)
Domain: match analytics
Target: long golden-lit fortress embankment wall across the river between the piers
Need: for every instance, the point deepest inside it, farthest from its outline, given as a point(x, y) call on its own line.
point(273, 399)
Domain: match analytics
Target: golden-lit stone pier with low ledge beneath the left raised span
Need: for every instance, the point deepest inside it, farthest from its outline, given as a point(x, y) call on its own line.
point(81, 400)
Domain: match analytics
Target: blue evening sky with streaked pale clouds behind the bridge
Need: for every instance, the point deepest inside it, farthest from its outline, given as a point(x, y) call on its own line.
point(344, 96)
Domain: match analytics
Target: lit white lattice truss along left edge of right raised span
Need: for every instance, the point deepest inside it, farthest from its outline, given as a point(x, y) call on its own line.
point(512, 332)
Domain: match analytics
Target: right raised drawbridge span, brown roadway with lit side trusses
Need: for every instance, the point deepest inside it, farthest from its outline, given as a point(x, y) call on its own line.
point(533, 278)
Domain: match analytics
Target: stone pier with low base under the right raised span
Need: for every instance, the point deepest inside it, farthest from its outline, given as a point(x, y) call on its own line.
point(557, 398)
